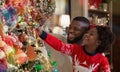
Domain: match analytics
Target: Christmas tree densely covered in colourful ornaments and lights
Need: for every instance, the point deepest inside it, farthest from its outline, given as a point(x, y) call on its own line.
point(21, 49)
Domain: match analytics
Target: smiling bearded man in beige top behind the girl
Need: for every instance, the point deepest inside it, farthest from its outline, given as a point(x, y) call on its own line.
point(77, 28)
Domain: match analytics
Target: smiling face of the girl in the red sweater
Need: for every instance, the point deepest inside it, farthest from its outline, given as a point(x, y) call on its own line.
point(91, 38)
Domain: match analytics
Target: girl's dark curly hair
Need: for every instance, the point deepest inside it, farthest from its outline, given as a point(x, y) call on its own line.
point(106, 38)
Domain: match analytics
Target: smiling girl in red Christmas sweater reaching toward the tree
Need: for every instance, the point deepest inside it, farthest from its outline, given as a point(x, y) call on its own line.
point(88, 56)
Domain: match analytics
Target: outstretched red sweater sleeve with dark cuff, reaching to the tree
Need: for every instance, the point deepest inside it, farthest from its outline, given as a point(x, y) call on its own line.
point(57, 44)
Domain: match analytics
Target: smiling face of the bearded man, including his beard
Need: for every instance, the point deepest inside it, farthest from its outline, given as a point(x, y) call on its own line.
point(75, 32)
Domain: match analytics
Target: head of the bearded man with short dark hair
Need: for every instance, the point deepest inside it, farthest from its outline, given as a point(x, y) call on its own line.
point(77, 28)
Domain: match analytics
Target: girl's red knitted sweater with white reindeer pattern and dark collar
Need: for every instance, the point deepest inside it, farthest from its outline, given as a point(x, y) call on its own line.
point(82, 61)
